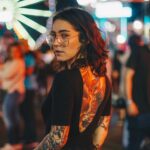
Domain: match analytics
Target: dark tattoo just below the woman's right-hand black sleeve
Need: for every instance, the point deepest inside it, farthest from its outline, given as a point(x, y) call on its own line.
point(104, 122)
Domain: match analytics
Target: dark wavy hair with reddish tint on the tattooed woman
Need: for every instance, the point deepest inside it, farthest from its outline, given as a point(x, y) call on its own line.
point(93, 44)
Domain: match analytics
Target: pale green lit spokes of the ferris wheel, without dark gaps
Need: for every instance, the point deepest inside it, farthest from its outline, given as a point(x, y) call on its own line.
point(18, 10)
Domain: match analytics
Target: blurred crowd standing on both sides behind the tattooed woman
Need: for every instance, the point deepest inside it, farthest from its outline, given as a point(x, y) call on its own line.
point(26, 77)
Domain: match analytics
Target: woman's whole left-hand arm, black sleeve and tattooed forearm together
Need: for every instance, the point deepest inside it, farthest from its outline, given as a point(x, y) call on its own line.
point(61, 113)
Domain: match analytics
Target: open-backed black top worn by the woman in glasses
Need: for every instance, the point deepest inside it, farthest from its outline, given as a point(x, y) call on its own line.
point(63, 106)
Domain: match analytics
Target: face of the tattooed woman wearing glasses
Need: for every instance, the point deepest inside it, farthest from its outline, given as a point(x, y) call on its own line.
point(65, 40)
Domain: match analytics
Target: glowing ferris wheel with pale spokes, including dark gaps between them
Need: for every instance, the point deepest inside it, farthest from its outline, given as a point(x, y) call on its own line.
point(17, 15)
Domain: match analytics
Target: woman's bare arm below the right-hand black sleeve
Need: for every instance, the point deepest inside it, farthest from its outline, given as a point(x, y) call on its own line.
point(101, 131)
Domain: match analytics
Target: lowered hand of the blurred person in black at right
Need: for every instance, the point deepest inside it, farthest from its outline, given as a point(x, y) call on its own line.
point(132, 108)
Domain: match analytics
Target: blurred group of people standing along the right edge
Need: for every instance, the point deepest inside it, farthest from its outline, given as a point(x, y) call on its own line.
point(131, 88)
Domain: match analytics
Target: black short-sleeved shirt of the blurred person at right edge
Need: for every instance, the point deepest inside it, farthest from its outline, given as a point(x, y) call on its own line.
point(140, 62)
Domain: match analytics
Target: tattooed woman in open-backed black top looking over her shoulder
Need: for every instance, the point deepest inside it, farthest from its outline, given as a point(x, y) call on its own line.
point(77, 109)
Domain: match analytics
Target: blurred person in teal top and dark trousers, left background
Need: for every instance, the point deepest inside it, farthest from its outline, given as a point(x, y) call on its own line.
point(27, 107)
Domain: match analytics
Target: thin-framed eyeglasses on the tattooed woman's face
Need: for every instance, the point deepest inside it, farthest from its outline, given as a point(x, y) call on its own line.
point(62, 39)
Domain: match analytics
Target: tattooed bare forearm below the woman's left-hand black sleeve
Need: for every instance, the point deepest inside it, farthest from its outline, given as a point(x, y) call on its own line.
point(56, 139)
